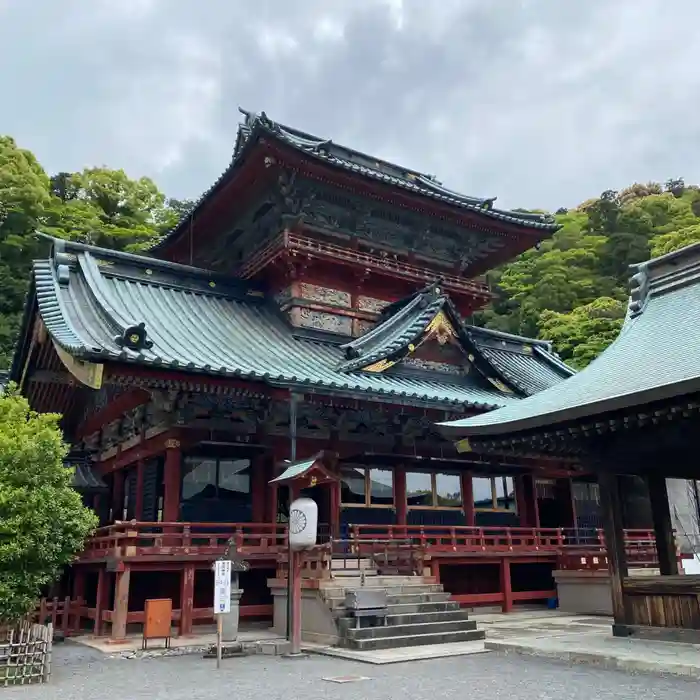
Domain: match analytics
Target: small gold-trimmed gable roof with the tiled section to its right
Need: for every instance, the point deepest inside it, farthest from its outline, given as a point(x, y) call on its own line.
point(526, 365)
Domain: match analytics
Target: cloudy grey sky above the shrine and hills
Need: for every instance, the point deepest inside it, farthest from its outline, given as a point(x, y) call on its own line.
point(540, 102)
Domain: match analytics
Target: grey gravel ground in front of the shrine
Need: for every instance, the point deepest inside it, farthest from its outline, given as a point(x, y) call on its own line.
point(80, 673)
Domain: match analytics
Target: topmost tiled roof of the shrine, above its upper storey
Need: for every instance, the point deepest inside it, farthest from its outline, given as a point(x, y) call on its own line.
point(325, 150)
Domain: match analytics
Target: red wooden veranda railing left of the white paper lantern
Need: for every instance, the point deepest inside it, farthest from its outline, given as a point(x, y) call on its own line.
point(136, 539)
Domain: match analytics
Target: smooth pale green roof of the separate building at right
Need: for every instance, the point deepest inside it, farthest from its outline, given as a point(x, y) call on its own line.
point(655, 357)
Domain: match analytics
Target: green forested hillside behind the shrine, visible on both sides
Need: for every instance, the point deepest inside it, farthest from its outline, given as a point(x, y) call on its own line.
point(572, 290)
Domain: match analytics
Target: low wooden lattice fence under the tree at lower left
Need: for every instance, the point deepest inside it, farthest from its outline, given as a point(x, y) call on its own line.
point(25, 654)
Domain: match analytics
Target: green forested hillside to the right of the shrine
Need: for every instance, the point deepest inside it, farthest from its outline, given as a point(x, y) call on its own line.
point(573, 290)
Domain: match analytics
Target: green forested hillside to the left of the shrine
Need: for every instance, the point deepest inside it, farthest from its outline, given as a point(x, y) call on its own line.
point(98, 206)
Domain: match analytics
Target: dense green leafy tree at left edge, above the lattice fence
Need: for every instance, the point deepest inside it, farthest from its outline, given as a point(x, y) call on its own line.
point(43, 523)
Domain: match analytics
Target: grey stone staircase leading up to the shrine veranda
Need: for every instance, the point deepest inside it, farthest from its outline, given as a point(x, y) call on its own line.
point(419, 611)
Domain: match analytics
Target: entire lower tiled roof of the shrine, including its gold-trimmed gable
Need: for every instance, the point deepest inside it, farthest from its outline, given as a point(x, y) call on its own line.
point(100, 305)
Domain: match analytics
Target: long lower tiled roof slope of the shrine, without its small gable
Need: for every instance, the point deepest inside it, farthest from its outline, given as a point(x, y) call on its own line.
point(100, 305)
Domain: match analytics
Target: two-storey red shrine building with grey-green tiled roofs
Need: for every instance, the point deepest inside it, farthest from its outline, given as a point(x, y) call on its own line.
point(314, 305)
